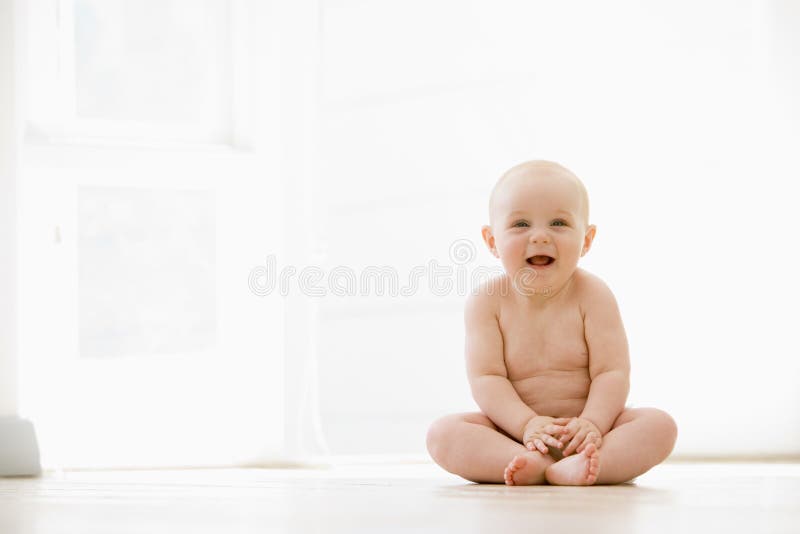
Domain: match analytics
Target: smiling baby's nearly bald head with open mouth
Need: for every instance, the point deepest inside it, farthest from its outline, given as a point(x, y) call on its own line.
point(539, 223)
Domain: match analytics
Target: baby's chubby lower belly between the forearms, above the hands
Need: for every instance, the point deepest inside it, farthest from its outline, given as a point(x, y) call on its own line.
point(556, 393)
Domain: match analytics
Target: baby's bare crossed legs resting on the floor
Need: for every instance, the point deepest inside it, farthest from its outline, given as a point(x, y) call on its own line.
point(473, 447)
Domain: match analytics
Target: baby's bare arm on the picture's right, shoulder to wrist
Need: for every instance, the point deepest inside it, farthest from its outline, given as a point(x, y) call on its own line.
point(609, 362)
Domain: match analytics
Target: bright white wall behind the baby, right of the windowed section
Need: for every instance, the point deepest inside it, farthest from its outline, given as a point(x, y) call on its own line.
point(669, 113)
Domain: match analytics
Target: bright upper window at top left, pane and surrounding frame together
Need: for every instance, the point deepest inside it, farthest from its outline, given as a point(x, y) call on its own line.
point(143, 71)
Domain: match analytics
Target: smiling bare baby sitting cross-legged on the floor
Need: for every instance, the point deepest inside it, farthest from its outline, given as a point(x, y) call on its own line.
point(546, 353)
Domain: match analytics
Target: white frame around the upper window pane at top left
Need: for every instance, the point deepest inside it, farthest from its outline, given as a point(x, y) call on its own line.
point(52, 114)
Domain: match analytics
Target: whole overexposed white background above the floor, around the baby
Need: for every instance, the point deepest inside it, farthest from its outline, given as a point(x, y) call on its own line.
point(174, 155)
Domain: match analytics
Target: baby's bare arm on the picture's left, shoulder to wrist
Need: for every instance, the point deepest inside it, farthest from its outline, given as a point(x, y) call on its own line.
point(486, 368)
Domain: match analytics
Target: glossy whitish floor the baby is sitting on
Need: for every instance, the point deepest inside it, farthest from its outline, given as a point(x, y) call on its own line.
point(673, 497)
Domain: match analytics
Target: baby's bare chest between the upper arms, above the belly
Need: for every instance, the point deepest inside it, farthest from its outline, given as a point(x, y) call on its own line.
point(544, 345)
